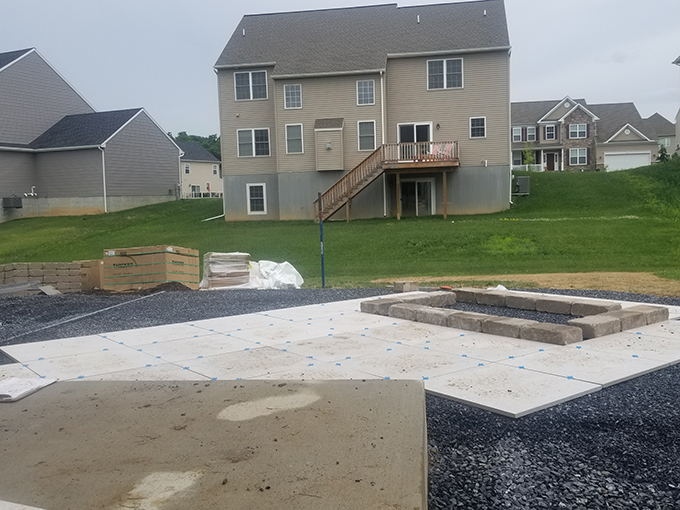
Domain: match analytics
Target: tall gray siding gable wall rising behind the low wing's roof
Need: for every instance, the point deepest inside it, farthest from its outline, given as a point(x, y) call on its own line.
point(33, 97)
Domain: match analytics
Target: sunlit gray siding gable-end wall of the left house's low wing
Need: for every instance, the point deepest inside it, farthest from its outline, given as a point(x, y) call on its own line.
point(141, 161)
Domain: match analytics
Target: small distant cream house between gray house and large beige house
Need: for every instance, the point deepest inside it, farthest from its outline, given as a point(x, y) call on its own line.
point(200, 171)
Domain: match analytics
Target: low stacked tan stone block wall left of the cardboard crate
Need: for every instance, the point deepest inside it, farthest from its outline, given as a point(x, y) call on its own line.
point(63, 276)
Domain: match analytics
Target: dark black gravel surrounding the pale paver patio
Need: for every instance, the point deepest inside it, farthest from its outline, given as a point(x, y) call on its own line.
point(617, 448)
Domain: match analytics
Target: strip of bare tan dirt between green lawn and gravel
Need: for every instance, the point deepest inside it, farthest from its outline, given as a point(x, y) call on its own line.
point(638, 283)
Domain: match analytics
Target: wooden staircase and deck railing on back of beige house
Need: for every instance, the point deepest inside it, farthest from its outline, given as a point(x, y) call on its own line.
point(412, 155)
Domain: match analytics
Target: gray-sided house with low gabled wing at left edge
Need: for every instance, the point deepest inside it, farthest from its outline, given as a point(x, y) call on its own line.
point(59, 156)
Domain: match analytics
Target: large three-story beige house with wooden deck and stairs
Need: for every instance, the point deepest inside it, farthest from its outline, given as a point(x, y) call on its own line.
point(386, 110)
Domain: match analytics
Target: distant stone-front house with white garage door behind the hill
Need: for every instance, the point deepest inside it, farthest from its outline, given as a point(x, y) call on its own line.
point(571, 135)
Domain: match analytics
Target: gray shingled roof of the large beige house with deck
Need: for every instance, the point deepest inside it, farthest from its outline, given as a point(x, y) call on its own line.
point(361, 38)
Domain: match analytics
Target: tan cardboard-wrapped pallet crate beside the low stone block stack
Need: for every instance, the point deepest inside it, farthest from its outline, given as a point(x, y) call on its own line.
point(149, 266)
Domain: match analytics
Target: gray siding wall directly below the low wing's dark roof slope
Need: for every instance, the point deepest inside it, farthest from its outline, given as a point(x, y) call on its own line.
point(69, 174)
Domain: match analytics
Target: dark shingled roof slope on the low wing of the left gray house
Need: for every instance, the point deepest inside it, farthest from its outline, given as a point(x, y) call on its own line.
point(83, 130)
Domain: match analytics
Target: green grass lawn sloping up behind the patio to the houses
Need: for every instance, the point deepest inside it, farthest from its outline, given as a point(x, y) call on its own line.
point(593, 221)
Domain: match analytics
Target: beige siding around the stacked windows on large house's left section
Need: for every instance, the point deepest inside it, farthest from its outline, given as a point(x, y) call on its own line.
point(247, 114)
